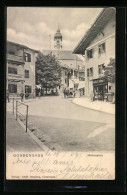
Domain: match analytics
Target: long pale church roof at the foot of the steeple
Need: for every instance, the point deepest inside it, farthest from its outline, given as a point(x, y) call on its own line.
point(63, 54)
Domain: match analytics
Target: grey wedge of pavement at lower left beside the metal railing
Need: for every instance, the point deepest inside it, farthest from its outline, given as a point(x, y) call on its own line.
point(16, 137)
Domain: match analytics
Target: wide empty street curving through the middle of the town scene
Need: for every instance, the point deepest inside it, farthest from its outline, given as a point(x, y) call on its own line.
point(61, 125)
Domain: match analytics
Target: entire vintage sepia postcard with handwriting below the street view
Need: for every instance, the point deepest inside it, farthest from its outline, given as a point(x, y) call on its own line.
point(60, 93)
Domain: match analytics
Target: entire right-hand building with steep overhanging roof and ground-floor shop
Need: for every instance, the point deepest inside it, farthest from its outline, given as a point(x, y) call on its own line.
point(98, 46)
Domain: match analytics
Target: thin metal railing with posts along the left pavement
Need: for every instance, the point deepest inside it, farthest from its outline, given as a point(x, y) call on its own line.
point(20, 110)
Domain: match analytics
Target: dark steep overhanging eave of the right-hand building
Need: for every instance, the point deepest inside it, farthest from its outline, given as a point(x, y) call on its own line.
point(100, 22)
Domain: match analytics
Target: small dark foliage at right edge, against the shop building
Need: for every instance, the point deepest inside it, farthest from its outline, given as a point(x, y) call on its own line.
point(109, 72)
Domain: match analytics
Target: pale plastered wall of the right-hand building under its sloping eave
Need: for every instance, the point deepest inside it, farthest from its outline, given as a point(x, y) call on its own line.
point(109, 38)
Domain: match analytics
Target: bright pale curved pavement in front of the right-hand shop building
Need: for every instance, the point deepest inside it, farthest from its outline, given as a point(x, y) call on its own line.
point(101, 106)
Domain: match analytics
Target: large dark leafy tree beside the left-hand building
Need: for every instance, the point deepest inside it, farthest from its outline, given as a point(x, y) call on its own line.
point(48, 71)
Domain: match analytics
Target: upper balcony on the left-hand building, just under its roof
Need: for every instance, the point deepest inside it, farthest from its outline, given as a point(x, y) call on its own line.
point(16, 59)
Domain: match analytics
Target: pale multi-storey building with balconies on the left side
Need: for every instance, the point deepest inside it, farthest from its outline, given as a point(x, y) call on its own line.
point(20, 69)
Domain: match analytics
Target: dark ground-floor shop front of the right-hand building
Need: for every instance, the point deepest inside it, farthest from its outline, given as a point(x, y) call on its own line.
point(100, 88)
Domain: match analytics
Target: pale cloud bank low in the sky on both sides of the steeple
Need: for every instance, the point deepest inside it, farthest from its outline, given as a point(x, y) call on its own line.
point(37, 36)
